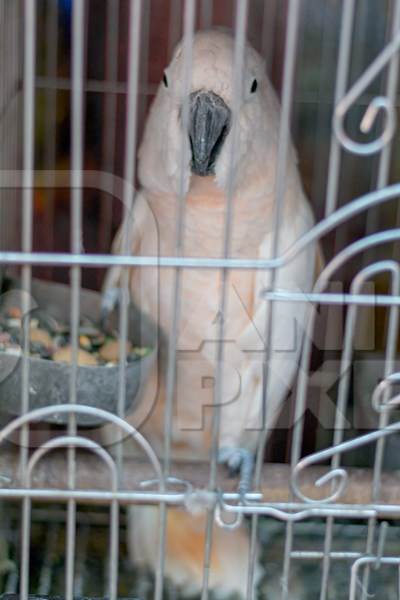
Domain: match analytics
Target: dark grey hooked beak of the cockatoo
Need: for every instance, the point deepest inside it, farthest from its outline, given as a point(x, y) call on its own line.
point(209, 124)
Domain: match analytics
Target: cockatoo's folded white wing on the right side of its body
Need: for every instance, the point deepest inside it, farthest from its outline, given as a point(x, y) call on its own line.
point(241, 418)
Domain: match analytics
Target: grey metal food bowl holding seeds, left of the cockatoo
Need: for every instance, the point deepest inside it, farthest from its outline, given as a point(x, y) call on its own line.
point(97, 386)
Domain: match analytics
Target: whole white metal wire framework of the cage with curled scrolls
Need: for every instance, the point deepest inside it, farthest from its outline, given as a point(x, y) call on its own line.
point(219, 503)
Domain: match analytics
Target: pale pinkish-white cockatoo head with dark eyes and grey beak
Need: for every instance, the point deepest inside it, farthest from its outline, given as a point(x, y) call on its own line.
point(211, 113)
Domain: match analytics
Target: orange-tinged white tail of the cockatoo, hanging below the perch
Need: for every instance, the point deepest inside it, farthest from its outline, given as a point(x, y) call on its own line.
point(184, 551)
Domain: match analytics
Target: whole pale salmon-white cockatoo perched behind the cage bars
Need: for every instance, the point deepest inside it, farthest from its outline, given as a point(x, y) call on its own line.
point(153, 231)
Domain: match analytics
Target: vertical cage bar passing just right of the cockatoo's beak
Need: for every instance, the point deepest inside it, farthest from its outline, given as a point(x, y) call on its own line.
point(242, 8)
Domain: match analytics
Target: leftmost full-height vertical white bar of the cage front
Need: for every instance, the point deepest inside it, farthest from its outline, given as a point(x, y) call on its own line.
point(27, 206)
